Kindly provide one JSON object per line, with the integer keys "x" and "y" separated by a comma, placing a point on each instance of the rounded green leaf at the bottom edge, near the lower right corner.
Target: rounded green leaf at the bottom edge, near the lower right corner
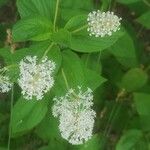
{"x": 129, "y": 139}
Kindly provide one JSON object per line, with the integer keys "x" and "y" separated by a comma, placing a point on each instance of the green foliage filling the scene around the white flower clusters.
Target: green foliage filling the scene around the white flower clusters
{"x": 117, "y": 68}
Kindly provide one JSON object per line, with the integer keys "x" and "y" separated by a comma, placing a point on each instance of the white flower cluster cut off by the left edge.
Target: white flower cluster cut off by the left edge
{"x": 5, "y": 84}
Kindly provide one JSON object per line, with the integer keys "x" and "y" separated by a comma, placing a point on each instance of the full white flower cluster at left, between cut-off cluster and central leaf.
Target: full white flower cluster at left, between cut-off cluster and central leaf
{"x": 36, "y": 78}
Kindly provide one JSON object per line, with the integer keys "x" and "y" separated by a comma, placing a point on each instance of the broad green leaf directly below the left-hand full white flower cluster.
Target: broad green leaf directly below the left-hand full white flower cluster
{"x": 27, "y": 114}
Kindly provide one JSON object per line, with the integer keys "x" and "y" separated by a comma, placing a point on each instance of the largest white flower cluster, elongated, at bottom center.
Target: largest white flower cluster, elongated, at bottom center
{"x": 75, "y": 114}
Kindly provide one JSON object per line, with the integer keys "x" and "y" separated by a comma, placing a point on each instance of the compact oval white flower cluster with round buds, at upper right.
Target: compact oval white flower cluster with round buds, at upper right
{"x": 101, "y": 24}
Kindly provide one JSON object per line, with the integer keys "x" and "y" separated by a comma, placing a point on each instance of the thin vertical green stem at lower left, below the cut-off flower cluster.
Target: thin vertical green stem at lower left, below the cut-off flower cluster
{"x": 11, "y": 107}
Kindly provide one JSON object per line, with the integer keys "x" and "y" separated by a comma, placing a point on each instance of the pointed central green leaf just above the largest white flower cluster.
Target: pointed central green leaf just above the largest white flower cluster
{"x": 73, "y": 73}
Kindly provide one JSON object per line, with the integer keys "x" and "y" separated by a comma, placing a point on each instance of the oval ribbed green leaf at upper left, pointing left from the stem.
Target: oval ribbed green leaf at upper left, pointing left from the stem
{"x": 35, "y": 28}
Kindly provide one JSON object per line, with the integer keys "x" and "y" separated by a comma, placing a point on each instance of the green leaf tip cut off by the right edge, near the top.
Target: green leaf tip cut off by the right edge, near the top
{"x": 144, "y": 19}
